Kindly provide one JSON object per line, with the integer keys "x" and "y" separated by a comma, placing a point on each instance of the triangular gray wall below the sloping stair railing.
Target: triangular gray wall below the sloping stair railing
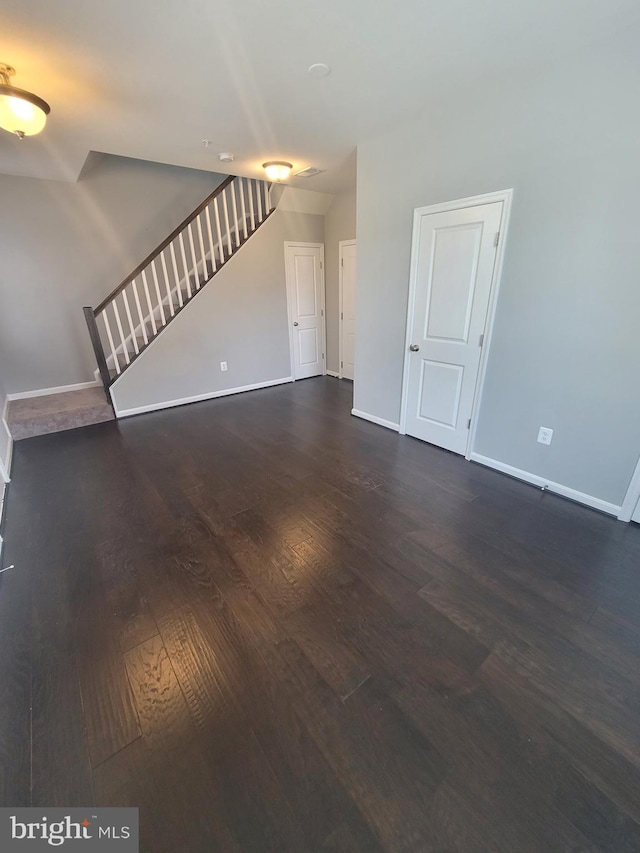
{"x": 240, "y": 318}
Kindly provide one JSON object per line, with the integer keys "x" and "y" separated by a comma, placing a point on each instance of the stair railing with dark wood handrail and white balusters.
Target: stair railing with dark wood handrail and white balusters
{"x": 135, "y": 313}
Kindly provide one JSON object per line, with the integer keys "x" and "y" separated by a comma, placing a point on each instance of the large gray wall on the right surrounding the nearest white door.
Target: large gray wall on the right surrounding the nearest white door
{"x": 566, "y": 344}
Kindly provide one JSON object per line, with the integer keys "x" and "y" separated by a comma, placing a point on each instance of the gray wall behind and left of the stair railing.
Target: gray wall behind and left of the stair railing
{"x": 67, "y": 245}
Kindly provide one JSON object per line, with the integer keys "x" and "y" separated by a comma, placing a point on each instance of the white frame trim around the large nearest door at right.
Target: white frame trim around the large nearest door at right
{"x": 505, "y": 196}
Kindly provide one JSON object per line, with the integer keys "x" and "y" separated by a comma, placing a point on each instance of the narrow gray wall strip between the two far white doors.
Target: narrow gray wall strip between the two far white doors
{"x": 339, "y": 224}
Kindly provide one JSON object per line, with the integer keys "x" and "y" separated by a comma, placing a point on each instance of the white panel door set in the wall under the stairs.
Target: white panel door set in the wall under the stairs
{"x": 305, "y": 292}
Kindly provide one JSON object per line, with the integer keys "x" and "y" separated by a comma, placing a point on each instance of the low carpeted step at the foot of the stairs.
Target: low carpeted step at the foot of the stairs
{"x": 57, "y": 412}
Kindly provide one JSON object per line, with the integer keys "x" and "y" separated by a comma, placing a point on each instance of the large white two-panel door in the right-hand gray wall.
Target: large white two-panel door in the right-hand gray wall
{"x": 454, "y": 255}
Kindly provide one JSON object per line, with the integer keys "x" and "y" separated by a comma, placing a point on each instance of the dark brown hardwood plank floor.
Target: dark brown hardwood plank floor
{"x": 275, "y": 627}
